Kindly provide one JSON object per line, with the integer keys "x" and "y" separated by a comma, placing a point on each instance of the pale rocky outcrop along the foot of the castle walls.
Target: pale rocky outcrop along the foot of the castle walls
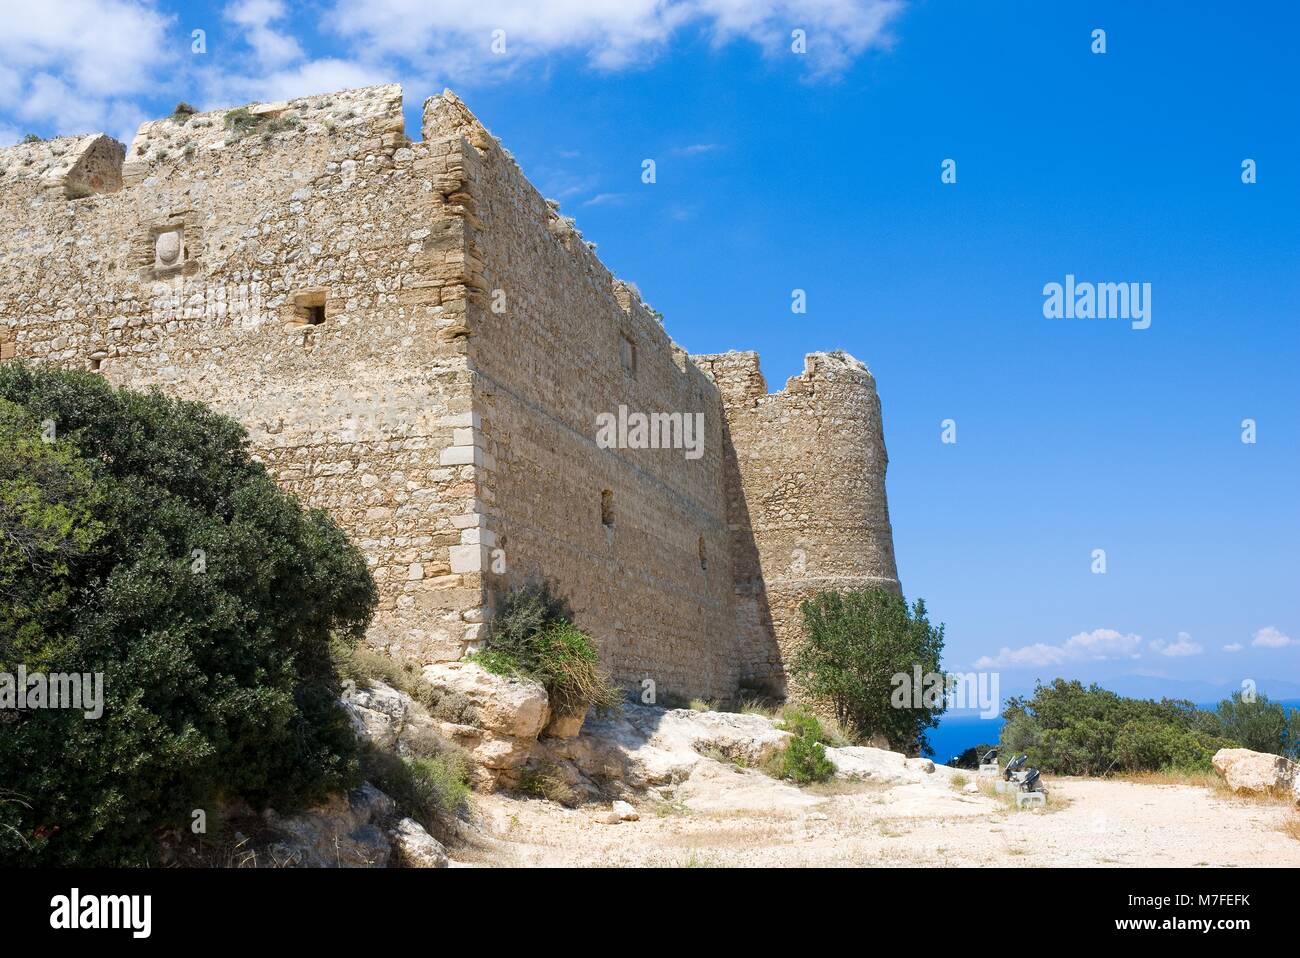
{"x": 505, "y": 726}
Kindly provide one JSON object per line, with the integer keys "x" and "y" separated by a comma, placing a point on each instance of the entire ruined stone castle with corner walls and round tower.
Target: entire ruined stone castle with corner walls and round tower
{"x": 422, "y": 345}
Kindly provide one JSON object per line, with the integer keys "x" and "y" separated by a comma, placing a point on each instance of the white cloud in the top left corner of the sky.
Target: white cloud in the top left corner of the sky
{"x": 73, "y": 67}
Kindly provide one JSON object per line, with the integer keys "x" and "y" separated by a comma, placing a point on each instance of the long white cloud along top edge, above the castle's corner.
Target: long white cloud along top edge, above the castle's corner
{"x": 454, "y": 38}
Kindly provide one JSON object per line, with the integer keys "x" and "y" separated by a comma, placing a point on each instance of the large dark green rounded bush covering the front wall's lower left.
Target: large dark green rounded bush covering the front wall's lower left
{"x": 218, "y": 675}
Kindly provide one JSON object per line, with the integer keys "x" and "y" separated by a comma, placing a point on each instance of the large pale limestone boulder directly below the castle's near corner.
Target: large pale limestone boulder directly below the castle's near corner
{"x": 469, "y": 695}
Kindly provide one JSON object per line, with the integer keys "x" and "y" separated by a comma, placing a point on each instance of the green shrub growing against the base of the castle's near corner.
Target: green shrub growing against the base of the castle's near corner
{"x": 531, "y": 635}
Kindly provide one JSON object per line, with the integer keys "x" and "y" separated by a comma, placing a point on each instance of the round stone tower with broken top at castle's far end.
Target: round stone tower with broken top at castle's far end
{"x": 807, "y": 497}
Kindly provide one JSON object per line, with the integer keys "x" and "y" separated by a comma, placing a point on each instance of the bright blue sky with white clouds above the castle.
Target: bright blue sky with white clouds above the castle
{"x": 822, "y": 172}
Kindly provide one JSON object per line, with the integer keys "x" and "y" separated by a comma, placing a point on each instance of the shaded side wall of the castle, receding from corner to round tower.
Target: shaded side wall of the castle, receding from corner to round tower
{"x": 551, "y": 332}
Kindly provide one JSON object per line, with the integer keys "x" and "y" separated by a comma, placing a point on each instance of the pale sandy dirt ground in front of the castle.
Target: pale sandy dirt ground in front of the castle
{"x": 726, "y": 817}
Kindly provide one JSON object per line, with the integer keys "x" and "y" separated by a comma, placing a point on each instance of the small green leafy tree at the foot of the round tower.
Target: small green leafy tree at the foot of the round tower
{"x": 857, "y": 641}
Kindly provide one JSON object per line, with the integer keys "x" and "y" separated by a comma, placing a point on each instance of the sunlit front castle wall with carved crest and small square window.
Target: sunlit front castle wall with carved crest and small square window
{"x": 197, "y": 271}
